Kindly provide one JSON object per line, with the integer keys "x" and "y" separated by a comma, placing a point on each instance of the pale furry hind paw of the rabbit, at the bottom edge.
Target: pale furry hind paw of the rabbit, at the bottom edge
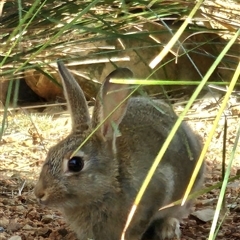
{"x": 170, "y": 229}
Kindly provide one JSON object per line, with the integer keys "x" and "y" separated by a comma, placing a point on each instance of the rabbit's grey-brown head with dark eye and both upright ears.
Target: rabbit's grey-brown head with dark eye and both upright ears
{"x": 68, "y": 180}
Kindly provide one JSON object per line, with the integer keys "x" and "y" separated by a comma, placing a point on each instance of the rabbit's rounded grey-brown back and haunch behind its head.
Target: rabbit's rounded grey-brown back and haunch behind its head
{"x": 144, "y": 128}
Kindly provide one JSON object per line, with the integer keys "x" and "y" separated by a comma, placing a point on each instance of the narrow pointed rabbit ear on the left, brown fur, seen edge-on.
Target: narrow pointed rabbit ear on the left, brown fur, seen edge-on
{"x": 75, "y": 99}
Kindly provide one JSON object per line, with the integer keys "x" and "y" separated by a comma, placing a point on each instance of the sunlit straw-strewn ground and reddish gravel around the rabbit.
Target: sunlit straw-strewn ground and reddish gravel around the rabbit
{"x": 27, "y": 138}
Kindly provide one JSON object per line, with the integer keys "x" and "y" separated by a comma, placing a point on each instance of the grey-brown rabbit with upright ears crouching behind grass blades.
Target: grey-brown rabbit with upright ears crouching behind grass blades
{"x": 95, "y": 186}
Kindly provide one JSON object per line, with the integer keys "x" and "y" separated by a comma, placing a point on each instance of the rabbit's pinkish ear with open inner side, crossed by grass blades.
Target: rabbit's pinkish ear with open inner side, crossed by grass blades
{"x": 110, "y": 96}
